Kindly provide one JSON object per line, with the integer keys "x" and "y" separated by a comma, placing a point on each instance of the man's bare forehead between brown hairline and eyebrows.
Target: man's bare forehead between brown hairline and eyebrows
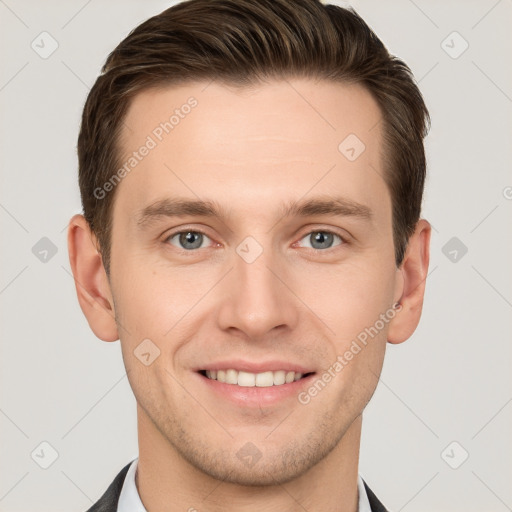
{"x": 238, "y": 144}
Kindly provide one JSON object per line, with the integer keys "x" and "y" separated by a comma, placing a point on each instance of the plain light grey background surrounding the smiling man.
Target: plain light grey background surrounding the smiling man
{"x": 450, "y": 382}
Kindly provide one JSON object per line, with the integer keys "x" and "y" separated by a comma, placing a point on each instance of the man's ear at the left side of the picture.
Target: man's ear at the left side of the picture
{"x": 91, "y": 281}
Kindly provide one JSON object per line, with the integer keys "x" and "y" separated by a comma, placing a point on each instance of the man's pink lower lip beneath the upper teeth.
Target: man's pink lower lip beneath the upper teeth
{"x": 257, "y": 396}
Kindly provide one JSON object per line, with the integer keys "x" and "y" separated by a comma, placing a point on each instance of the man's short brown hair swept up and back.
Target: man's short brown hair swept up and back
{"x": 245, "y": 42}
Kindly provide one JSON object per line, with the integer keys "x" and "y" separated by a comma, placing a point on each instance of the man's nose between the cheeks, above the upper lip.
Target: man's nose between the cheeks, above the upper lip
{"x": 258, "y": 298}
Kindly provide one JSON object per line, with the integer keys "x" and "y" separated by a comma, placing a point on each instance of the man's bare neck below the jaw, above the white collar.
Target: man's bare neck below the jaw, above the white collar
{"x": 167, "y": 482}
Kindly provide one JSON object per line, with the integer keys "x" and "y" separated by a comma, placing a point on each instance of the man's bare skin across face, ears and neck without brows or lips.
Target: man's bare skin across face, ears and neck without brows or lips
{"x": 251, "y": 150}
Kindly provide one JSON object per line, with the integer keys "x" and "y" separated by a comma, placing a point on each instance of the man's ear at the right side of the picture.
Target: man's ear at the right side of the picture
{"x": 411, "y": 278}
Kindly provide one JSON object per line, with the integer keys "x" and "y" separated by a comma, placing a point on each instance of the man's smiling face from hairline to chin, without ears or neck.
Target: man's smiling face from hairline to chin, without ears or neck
{"x": 251, "y": 239}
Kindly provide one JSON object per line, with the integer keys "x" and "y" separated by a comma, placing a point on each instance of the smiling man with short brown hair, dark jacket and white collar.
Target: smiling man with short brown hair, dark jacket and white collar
{"x": 251, "y": 174}
